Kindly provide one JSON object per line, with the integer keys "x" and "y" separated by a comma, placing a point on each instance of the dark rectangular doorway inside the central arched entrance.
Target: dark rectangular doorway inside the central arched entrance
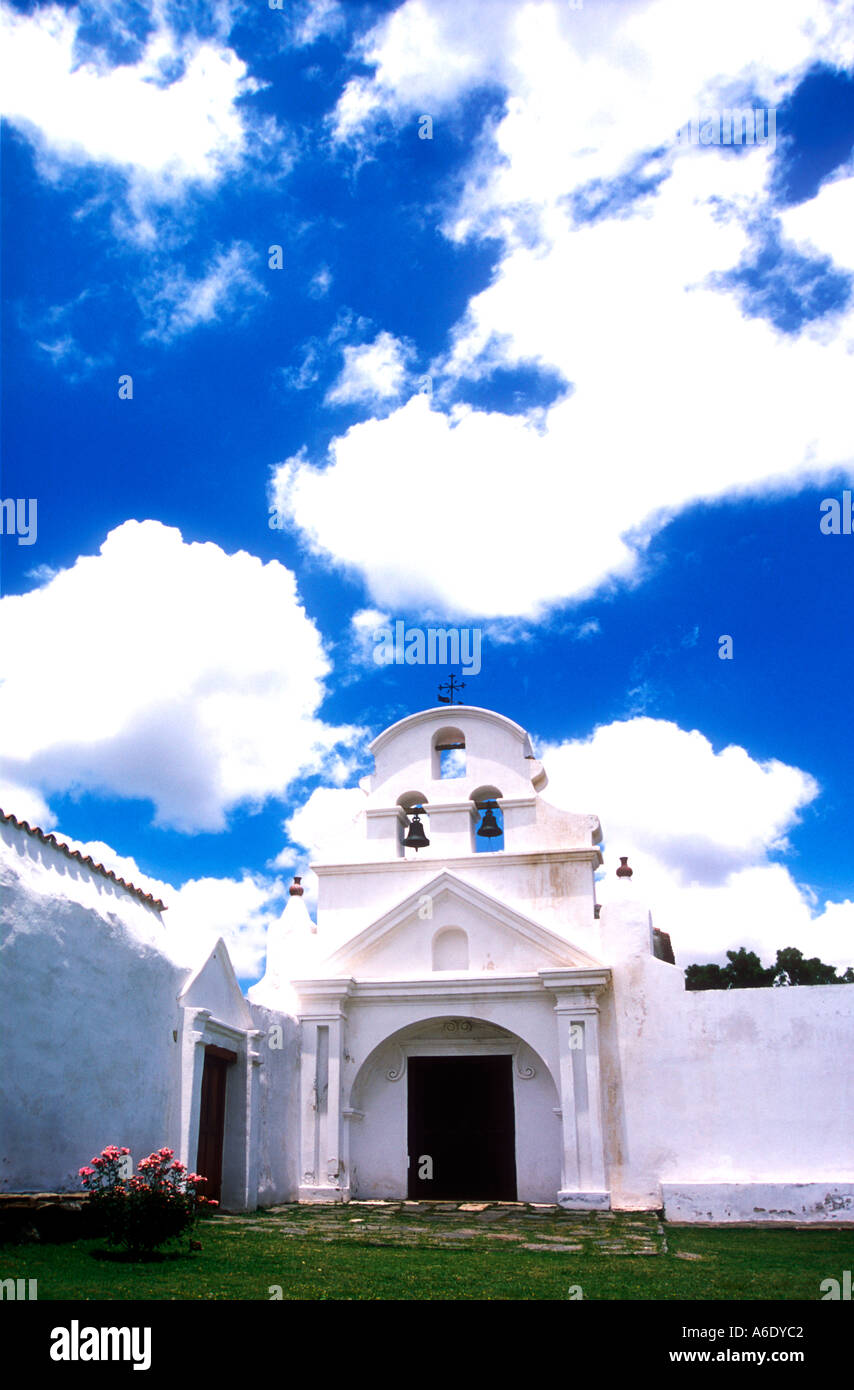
{"x": 462, "y": 1121}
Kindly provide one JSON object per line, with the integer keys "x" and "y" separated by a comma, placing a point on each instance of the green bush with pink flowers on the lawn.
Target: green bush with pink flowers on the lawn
{"x": 144, "y": 1213}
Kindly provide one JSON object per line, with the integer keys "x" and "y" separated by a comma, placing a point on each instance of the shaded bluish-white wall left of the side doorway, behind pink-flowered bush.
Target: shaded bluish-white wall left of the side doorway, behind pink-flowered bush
{"x": 90, "y": 1011}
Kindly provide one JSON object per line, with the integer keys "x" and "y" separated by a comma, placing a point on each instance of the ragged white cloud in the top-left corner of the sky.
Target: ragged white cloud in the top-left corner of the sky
{"x": 162, "y": 116}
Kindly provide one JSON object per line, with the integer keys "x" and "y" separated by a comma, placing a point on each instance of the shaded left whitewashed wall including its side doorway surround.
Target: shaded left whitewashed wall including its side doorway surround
{"x": 105, "y": 1033}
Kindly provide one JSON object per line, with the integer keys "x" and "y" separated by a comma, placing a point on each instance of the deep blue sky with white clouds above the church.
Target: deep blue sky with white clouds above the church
{"x": 533, "y": 366}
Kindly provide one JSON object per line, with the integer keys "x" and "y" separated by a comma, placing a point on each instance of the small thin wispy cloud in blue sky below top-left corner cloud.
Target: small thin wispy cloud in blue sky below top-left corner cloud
{"x": 177, "y": 304}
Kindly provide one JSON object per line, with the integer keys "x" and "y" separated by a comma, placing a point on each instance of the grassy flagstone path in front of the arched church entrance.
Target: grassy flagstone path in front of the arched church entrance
{"x": 444, "y": 1225}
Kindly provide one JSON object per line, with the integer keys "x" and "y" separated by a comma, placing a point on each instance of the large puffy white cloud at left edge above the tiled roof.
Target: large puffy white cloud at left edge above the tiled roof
{"x": 166, "y": 672}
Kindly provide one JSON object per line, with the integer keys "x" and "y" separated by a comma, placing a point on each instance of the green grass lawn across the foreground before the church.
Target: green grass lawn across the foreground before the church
{"x": 241, "y": 1263}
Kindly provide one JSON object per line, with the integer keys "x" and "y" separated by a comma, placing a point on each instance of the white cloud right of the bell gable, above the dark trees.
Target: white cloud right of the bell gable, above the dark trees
{"x": 698, "y": 829}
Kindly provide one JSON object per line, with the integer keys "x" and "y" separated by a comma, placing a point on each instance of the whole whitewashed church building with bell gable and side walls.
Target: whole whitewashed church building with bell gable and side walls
{"x": 461, "y": 1022}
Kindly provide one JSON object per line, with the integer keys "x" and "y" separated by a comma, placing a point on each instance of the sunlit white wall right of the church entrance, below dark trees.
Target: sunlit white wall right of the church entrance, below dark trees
{"x": 723, "y": 1089}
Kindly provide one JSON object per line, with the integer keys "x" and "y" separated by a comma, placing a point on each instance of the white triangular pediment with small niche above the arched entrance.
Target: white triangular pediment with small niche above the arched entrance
{"x": 497, "y": 939}
